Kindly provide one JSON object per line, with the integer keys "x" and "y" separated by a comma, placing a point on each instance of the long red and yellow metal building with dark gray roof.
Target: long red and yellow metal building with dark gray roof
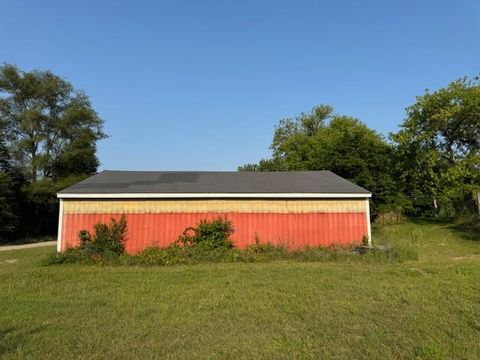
{"x": 315, "y": 208}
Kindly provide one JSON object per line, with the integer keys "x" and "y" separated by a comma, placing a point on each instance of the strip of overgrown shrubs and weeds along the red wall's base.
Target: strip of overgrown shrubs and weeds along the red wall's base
{"x": 210, "y": 241}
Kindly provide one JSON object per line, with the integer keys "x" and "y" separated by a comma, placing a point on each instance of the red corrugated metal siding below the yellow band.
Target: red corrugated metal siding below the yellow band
{"x": 293, "y": 229}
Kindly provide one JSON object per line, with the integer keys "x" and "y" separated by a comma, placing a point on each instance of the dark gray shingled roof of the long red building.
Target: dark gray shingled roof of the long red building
{"x": 203, "y": 182}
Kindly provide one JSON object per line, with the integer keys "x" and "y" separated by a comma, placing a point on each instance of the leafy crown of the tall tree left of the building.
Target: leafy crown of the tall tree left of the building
{"x": 48, "y": 124}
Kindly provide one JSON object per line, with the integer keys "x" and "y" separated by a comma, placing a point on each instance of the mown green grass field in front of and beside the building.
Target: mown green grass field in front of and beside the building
{"x": 426, "y": 309}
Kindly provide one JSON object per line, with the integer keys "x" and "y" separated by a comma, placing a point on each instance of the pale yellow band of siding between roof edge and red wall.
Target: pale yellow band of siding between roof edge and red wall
{"x": 76, "y": 206}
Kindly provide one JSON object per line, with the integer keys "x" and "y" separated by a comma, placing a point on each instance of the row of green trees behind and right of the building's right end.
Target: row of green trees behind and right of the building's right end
{"x": 430, "y": 167}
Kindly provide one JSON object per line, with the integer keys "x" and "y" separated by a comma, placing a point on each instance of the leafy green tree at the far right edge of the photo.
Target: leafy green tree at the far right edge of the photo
{"x": 438, "y": 146}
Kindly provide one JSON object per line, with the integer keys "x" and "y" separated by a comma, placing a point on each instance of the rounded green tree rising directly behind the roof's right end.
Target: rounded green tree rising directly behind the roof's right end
{"x": 322, "y": 140}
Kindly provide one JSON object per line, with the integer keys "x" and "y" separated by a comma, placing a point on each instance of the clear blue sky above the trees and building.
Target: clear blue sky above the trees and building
{"x": 192, "y": 85}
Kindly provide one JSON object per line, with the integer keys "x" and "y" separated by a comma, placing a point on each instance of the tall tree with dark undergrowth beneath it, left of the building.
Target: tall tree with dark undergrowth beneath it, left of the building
{"x": 48, "y": 136}
